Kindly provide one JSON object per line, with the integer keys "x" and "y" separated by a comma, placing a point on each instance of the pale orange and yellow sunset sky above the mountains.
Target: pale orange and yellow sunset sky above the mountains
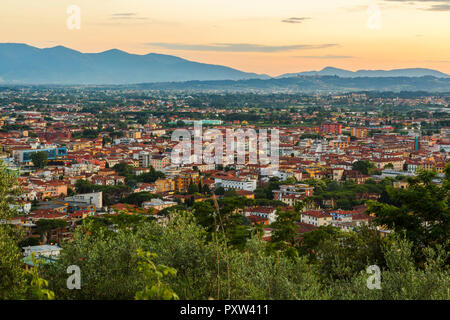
{"x": 263, "y": 36}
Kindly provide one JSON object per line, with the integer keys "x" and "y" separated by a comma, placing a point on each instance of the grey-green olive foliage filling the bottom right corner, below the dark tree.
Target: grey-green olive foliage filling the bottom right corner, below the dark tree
{"x": 401, "y": 279}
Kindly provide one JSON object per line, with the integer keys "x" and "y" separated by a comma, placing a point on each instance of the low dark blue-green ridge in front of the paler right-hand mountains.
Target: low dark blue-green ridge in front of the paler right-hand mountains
{"x": 308, "y": 84}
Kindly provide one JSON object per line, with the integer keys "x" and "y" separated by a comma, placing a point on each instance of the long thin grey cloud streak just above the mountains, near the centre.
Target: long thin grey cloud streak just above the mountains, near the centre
{"x": 238, "y": 47}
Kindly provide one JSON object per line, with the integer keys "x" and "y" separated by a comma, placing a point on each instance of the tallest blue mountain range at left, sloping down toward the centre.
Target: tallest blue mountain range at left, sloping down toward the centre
{"x": 24, "y": 64}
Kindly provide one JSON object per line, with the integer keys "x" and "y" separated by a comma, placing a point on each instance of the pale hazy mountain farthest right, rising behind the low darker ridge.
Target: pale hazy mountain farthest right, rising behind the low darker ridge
{"x": 331, "y": 71}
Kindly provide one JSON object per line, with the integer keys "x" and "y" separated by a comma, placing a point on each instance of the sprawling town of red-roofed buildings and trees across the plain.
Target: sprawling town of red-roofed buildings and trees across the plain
{"x": 104, "y": 153}
